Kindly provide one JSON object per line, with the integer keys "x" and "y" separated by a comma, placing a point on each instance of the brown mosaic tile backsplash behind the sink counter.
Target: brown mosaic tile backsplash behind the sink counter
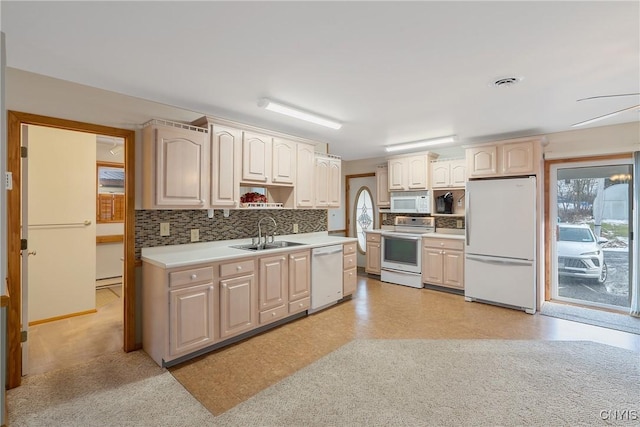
{"x": 240, "y": 224}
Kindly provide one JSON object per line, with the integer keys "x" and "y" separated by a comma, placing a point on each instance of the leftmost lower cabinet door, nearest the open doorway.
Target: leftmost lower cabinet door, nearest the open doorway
{"x": 192, "y": 318}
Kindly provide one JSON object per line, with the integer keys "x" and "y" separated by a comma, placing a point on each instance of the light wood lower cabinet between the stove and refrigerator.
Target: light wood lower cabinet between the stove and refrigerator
{"x": 443, "y": 262}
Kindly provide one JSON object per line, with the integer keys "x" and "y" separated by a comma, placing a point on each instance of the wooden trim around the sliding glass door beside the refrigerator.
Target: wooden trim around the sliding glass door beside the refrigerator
{"x": 547, "y": 208}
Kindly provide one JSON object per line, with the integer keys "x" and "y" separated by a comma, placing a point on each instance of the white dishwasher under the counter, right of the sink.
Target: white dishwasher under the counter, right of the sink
{"x": 326, "y": 276}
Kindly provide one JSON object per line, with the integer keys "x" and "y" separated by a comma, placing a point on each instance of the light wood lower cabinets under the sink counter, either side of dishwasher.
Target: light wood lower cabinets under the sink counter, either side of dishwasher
{"x": 188, "y": 309}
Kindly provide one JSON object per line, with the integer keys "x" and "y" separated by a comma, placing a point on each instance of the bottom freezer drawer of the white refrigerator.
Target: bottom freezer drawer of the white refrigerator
{"x": 501, "y": 280}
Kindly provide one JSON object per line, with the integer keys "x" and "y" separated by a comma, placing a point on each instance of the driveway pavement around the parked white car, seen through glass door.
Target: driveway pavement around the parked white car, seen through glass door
{"x": 614, "y": 291}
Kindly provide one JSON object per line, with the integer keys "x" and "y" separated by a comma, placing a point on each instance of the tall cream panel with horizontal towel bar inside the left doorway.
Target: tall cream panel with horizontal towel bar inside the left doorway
{"x": 61, "y": 191}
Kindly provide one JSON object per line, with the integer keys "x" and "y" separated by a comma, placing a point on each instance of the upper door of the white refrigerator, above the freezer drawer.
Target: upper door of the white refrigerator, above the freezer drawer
{"x": 501, "y": 218}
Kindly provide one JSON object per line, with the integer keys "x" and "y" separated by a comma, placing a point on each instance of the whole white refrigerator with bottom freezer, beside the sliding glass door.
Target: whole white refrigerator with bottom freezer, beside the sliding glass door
{"x": 500, "y": 252}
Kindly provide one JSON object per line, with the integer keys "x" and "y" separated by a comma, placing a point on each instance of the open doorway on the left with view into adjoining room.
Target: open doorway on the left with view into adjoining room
{"x": 72, "y": 277}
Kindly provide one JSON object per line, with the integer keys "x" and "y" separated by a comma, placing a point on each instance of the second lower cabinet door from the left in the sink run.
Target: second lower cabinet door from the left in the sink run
{"x": 237, "y": 305}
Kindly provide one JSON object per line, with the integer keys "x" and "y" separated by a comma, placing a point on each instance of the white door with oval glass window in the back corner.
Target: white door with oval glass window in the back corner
{"x": 356, "y": 186}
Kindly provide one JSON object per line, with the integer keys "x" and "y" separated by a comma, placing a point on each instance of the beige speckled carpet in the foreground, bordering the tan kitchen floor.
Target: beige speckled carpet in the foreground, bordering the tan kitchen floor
{"x": 364, "y": 383}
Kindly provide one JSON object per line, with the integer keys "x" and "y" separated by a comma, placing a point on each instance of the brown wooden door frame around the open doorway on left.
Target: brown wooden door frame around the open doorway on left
{"x": 15, "y": 120}
